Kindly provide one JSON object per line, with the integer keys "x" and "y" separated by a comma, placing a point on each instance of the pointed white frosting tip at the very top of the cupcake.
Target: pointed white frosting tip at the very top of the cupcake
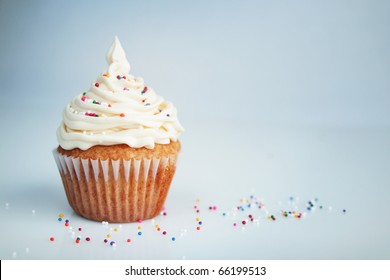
{"x": 116, "y": 59}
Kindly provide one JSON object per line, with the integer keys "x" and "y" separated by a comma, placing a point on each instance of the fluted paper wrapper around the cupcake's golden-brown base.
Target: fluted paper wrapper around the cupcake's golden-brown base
{"x": 116, "y": 190}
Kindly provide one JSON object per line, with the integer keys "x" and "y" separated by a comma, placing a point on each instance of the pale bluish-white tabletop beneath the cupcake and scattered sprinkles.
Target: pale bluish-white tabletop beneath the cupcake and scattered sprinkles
{"x": 344, "y": 168}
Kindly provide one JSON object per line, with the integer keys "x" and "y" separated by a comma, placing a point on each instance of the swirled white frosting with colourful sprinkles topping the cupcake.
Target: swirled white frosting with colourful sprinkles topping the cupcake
{"x": 118, "y": 109}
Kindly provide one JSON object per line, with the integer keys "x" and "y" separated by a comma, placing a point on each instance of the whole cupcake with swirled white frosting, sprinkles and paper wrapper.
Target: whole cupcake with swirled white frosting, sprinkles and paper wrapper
{"x": 118, "y": 146}
